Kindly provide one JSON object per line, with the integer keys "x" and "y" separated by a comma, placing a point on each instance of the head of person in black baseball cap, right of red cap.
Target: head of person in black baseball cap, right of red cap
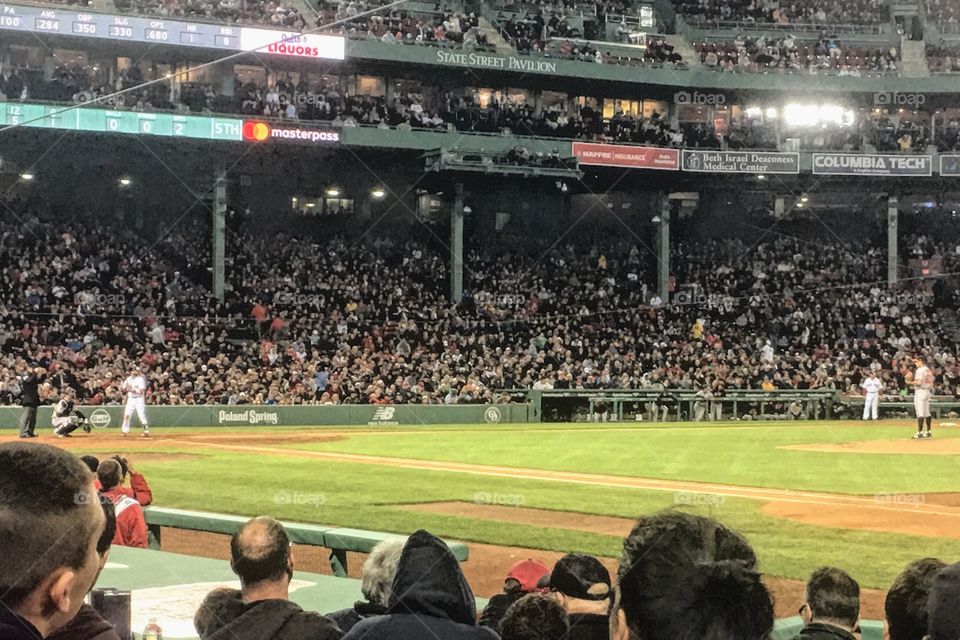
{"x": 582, "y": 586}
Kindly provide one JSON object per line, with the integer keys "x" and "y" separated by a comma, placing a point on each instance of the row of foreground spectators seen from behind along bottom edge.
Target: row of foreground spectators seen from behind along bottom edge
{"x": 679, "y": 576}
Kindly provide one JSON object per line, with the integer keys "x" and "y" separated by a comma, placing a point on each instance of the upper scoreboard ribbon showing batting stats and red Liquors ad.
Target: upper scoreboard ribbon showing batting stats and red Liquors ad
{"x": 88, "y": 24}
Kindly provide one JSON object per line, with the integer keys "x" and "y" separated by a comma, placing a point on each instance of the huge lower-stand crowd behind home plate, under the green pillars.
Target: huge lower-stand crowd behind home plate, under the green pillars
{"x": 85, "y": 301}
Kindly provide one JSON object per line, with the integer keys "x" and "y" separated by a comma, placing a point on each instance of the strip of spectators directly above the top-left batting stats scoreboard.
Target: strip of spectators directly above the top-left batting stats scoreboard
{"x": 264, "y": 12}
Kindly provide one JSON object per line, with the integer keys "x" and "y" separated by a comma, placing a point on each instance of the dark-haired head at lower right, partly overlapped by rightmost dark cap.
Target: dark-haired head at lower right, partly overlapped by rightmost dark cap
{"x": 905, "y": 607}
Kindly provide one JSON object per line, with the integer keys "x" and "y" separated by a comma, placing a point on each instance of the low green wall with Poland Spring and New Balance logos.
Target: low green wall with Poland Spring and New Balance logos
{"x": 285, "y": 416}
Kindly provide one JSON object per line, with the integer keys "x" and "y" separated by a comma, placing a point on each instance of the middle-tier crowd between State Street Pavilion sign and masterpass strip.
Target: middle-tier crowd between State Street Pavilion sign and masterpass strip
{"x": 326, "y": 101}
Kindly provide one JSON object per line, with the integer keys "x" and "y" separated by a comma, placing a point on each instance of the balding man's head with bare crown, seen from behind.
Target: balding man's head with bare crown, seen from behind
{"x": 260, "y": 552}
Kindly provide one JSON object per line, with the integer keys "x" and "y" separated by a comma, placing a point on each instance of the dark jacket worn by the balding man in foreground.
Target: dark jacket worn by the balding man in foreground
{"x": 225, "y": 616}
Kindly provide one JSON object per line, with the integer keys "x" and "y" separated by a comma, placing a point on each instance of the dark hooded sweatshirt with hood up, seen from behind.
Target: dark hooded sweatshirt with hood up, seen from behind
{"x": 430, "y": 599}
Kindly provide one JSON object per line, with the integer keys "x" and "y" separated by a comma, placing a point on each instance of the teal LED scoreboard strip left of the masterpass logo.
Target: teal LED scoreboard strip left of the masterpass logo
{"x": 131, "y": 122}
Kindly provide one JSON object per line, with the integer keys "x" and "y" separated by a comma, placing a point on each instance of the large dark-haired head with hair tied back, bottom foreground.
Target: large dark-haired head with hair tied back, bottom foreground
{"x": 686, "y": 576}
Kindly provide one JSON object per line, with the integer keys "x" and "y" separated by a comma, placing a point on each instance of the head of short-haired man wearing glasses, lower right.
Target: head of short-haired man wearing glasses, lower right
{"x": 831, "y": 610}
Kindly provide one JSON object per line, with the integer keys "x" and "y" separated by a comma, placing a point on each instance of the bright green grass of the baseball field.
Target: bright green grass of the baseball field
{"x": 366, "y": 496}
